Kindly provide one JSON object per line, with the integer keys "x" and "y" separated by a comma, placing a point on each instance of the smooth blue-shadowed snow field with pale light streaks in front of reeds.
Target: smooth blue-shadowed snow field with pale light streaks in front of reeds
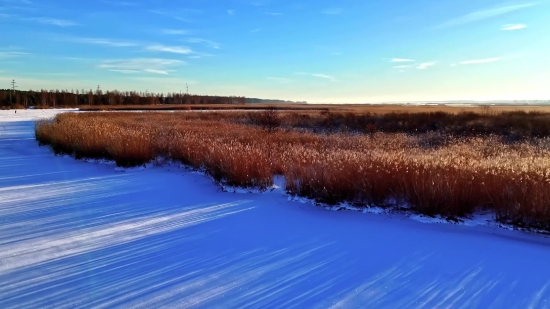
{"x": 76, "y": 234}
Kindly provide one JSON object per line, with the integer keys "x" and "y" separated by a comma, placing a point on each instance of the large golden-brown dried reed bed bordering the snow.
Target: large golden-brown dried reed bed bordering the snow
{"x": 451, "y": 178}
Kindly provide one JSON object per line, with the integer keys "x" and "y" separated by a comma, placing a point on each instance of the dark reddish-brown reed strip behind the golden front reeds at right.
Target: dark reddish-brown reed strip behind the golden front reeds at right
{"x": 513, "y": 125}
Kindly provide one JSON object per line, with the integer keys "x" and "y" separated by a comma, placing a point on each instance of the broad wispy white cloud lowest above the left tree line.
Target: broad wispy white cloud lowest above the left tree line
{"x": 141, "y": 65}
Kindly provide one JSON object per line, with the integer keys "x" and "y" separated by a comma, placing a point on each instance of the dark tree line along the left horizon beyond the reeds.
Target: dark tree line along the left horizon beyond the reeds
{"x": 65, "y": 98}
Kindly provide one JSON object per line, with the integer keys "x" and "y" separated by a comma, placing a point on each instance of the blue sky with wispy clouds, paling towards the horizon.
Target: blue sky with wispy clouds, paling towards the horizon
{"x": 319, "y": 51}
